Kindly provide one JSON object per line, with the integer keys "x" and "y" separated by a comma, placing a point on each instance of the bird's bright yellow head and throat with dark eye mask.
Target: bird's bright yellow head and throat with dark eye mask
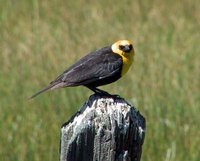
{"x": 125, "y": 49}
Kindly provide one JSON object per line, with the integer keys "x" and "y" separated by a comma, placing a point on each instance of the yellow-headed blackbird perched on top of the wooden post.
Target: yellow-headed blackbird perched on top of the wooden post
{"x": 98, "y": 68}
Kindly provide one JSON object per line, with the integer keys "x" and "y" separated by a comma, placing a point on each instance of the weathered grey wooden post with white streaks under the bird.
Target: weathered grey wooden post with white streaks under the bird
{"x": 105, "y": 129}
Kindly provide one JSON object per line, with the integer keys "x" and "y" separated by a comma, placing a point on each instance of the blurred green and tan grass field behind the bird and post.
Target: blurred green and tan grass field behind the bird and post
{"x": 39, "y": 39}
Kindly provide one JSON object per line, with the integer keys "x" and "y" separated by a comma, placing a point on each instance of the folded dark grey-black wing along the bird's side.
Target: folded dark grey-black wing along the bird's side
{"x": 93, "y": 67}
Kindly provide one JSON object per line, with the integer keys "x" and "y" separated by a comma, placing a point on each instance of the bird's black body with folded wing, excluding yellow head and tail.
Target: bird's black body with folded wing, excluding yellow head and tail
{"x": 95, "y": 69}
